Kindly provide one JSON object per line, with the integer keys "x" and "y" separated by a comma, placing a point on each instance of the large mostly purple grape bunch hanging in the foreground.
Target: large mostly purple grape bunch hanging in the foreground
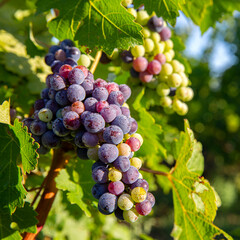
{"x": 94, "y": 117}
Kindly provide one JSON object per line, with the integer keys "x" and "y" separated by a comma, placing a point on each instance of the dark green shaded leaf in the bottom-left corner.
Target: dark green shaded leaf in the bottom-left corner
{"x": 22, "y": 220}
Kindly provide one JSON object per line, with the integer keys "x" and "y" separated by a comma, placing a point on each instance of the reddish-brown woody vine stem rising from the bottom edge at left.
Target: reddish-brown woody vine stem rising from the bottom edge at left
{"x": 49, "y": 194}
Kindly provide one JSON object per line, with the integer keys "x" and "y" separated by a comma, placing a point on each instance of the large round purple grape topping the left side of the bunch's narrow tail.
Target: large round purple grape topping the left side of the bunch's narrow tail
{"x": 108, "y": 153}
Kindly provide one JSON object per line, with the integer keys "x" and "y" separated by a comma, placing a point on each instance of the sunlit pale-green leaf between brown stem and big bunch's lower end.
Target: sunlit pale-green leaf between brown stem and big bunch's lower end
{"x": 77, "y": 181}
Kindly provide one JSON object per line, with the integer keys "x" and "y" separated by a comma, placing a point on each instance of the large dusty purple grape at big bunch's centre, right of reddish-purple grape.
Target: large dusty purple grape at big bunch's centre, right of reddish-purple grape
{"x": 94, "y": 123}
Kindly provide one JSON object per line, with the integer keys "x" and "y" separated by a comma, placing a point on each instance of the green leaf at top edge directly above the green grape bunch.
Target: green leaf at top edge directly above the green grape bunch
{"x": 168, "y": 9}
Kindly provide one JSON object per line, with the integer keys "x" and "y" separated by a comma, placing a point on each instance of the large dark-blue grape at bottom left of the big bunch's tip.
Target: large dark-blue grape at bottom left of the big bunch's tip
{"x": 108, "y": 203}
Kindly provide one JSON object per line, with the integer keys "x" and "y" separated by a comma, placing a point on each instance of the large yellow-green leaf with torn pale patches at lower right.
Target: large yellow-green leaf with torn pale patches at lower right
{"x": 195, "y": 201}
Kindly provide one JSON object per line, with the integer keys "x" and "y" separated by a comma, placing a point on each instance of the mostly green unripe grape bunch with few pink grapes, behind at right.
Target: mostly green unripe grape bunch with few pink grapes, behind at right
{"x": 153, "y": 63}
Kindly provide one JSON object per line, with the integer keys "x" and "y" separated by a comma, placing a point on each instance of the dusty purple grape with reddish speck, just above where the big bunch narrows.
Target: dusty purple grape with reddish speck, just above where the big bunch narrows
{"x": 113, "y": 134}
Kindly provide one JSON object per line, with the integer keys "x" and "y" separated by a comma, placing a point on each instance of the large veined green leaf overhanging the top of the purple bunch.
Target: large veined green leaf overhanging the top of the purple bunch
{"x": 94, "y": 23}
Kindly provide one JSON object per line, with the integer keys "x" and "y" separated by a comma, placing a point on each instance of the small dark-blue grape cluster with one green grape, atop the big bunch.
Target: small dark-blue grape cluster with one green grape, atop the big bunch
{"x": 65, "y": 53}
